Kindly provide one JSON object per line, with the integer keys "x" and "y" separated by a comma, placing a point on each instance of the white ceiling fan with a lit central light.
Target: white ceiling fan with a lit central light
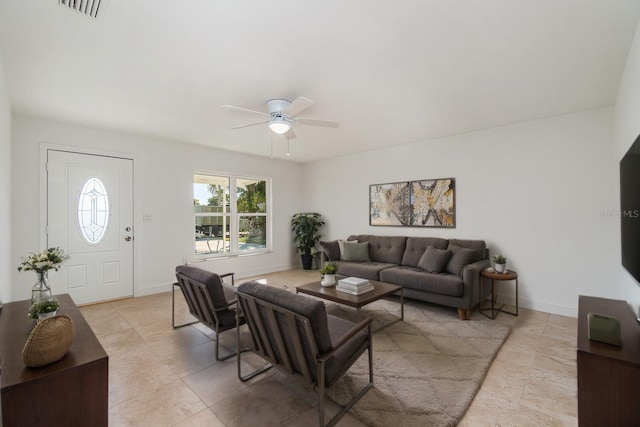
{"x": 283, "y": 115}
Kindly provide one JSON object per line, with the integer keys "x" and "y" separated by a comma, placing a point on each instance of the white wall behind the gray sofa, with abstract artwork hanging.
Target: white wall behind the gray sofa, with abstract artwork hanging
{"x": 537, "y": 191}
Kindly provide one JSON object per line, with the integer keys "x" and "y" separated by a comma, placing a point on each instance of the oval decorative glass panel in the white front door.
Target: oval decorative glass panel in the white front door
{"x": 93, "y": 210}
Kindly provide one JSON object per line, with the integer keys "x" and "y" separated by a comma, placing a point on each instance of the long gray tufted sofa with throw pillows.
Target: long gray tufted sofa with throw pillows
{"x": 441, "y": 271}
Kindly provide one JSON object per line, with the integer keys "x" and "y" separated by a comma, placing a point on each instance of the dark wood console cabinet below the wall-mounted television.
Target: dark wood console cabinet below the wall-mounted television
{"x": 608, "y": 376}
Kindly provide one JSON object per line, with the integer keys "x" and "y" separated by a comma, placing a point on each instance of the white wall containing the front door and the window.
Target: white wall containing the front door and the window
{"x": 163, "y": 187}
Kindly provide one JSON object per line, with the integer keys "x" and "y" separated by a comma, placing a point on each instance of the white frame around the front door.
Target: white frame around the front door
{"x": 44, "y": 149}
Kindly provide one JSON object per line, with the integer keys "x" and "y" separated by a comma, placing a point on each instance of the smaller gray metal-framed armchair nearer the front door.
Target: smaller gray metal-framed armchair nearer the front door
{"x": 210, "y": 300}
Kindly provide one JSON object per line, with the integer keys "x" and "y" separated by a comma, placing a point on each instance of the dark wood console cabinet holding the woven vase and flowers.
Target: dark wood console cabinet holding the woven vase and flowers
{"x": 73, "y": 391}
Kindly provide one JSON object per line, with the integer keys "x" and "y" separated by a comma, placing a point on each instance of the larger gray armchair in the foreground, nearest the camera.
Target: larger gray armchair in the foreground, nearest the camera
{"x": 296, "y": 335}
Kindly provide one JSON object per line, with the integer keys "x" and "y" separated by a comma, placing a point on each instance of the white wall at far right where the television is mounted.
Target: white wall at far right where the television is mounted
{"x": 626, "y": 130}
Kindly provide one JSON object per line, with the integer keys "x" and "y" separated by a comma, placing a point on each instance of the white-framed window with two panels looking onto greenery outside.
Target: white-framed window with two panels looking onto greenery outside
{"x": 231, "y": 214}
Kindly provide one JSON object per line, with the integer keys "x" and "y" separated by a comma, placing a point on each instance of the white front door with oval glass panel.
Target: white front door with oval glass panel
{"x": 90, "y": 216}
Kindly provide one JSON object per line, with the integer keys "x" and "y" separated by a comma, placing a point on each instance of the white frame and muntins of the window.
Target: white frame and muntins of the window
{"x": 234, "y": 216}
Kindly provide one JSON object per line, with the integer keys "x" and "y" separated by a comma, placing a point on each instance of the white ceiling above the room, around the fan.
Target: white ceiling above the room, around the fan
{"x": 391, "y": 72}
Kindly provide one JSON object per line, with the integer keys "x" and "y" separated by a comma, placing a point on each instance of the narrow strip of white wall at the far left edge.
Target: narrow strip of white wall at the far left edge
{"x": 6, "y": 265}
